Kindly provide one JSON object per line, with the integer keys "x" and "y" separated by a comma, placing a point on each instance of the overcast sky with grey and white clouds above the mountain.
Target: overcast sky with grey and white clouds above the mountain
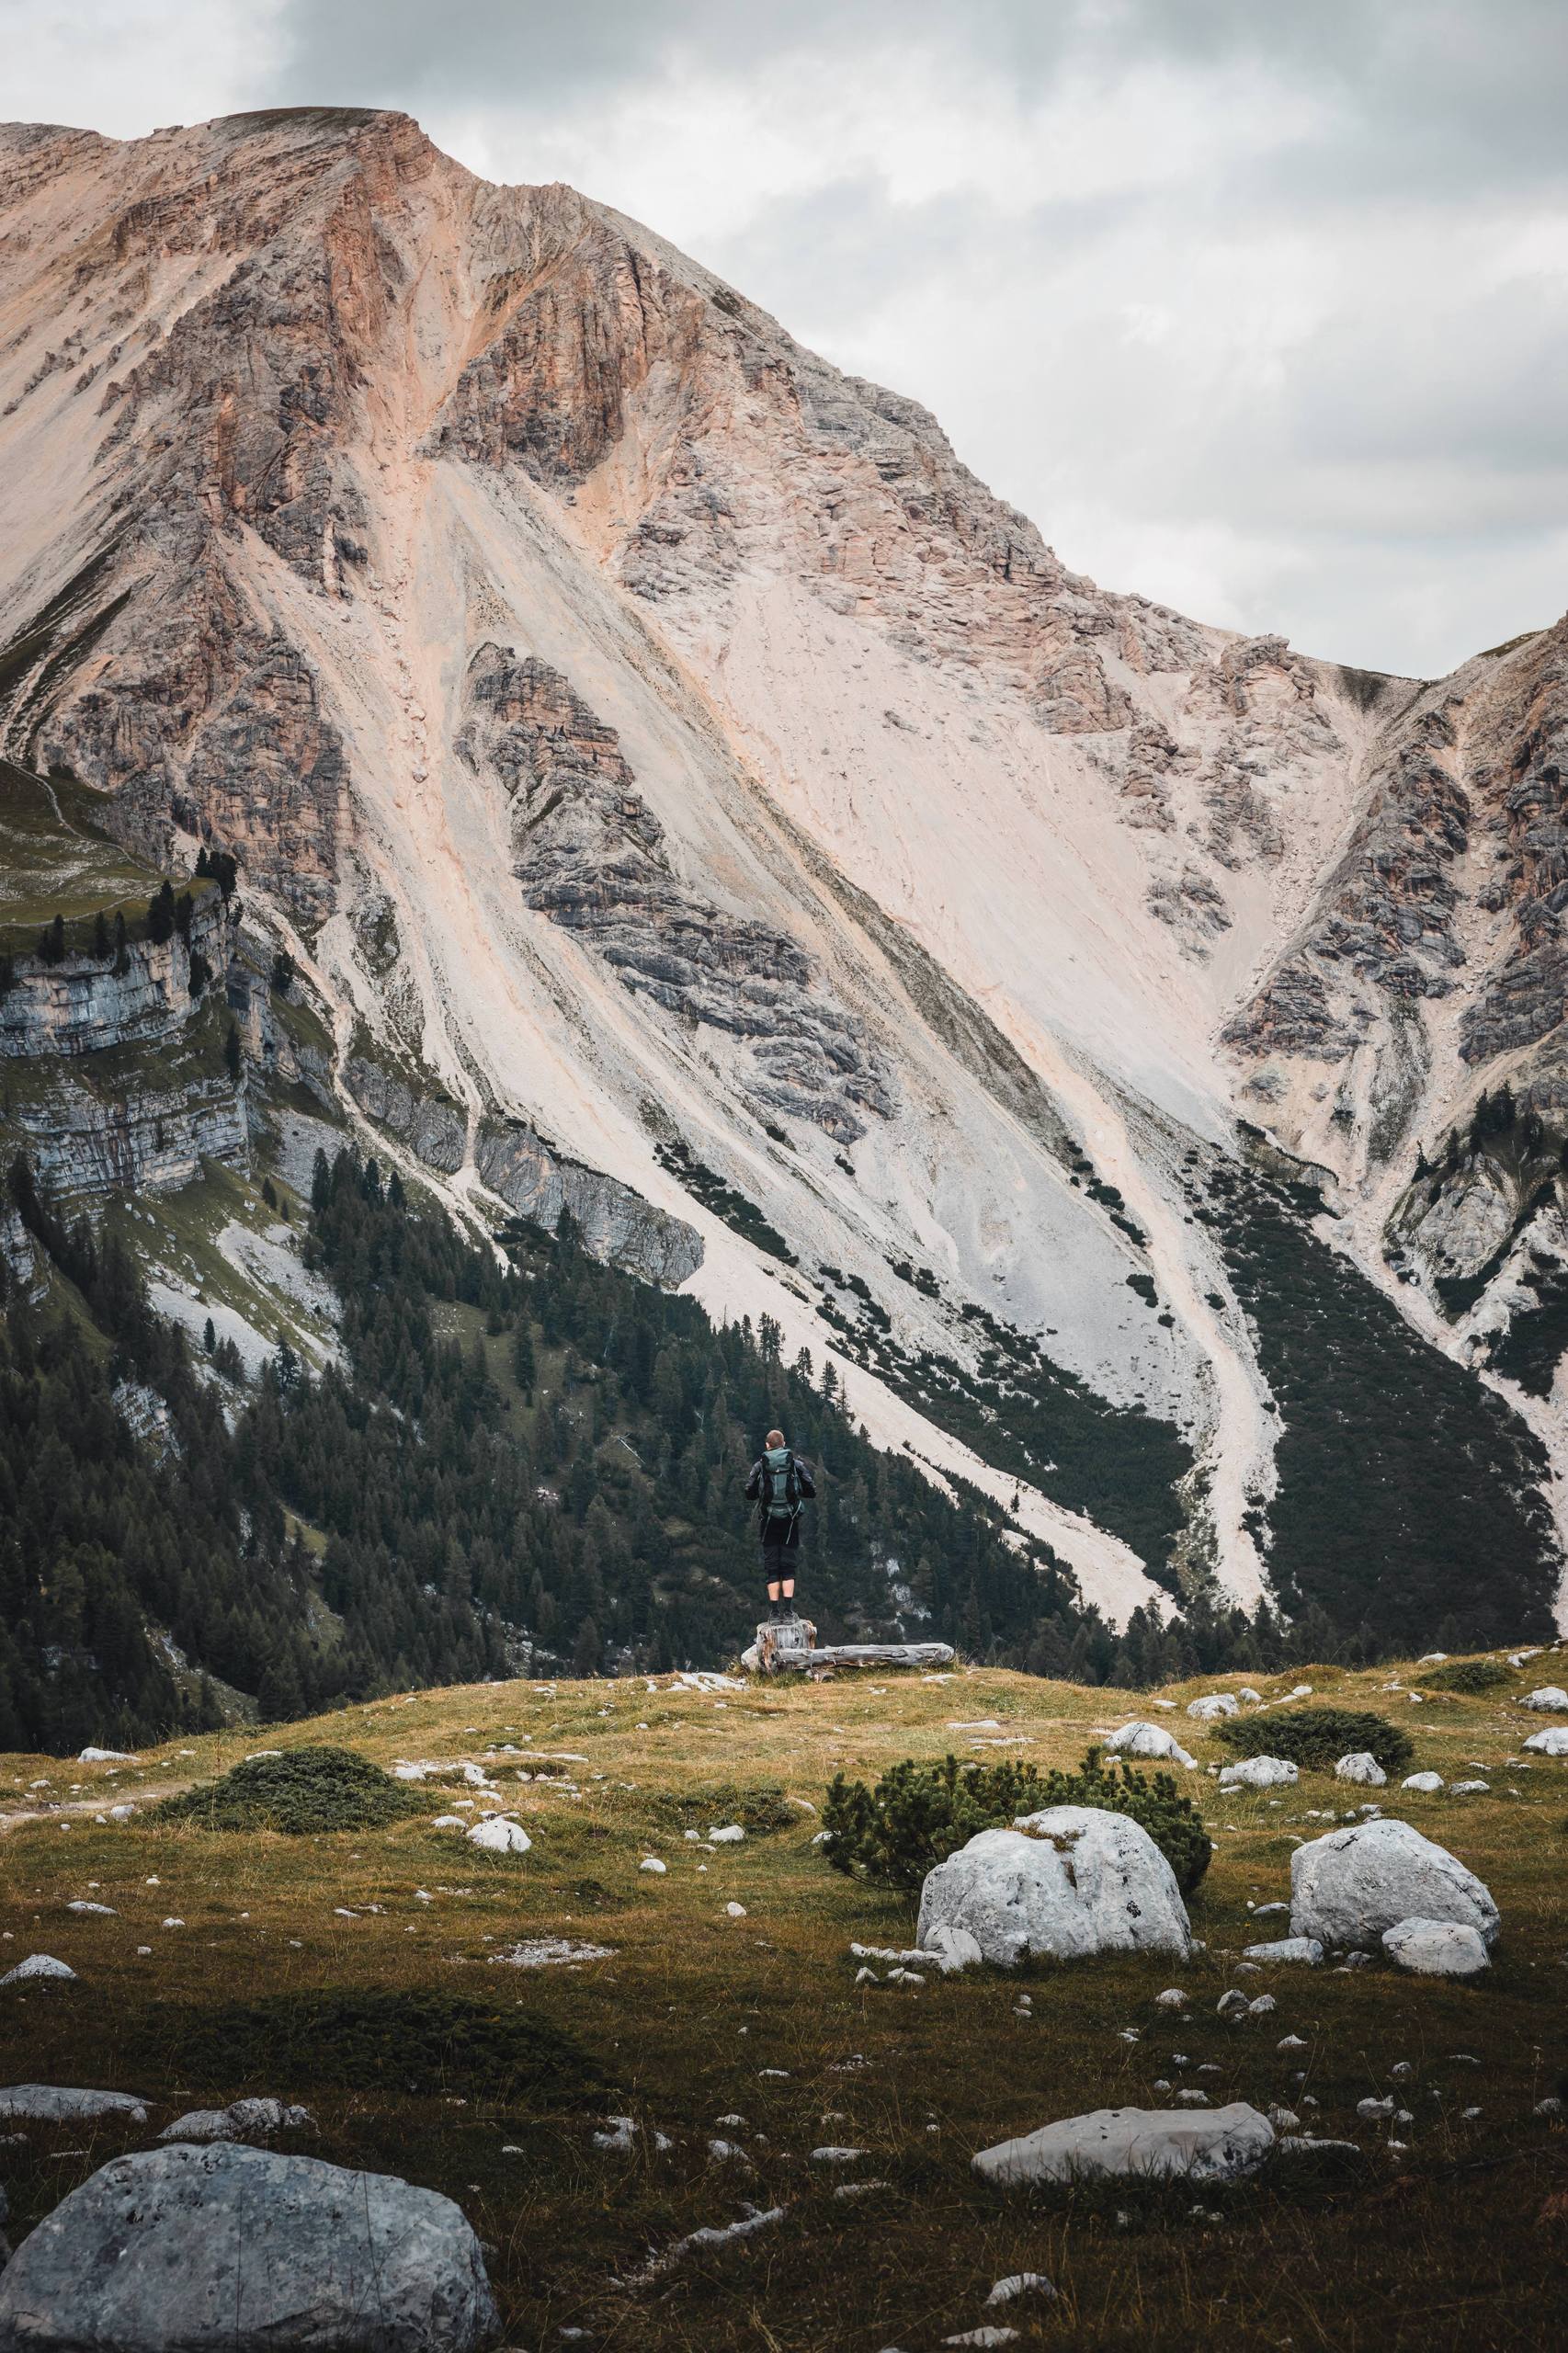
{"x": 1256, "y": 307}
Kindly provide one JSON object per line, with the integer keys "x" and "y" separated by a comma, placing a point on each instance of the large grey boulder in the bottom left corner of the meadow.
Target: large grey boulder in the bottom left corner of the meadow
{"x": 230, "y": 2248}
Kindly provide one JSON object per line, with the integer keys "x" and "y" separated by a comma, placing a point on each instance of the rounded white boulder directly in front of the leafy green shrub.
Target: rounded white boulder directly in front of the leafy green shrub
{"x": 1061, "y": 1886}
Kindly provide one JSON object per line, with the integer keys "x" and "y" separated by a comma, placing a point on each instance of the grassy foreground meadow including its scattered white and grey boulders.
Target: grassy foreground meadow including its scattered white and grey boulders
{"x": 524, "y": 2088}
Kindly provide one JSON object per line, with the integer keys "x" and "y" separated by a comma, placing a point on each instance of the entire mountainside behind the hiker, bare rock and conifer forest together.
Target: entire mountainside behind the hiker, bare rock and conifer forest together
{"x": 792, "y": 942}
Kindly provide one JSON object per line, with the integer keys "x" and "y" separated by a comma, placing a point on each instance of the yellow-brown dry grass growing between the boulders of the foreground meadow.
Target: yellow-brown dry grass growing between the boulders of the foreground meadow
{"x": 1459, "y": 2241}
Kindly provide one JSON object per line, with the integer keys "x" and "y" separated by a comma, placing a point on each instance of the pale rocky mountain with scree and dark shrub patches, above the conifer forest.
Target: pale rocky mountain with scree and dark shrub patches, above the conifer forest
{"x": 623, "y": 764}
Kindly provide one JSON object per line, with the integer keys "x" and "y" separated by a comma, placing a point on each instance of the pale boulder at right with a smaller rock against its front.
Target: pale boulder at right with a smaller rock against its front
{"x": 1357, "y": 1884}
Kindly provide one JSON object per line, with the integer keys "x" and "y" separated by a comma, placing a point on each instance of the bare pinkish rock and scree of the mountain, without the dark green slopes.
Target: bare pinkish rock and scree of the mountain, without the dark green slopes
{"x": 675, "y": 754}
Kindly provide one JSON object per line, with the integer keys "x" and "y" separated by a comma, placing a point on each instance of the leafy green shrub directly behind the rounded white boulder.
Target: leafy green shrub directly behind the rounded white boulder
{"x": 919, "y": 1815}
